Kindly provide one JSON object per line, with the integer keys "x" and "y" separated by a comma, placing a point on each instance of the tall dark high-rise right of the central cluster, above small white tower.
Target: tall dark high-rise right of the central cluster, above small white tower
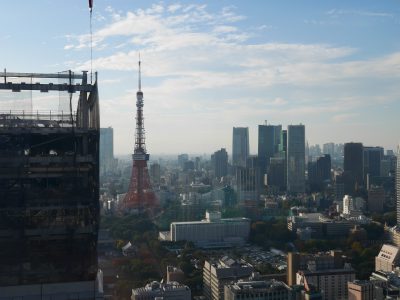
{"x": 353, "y": 174}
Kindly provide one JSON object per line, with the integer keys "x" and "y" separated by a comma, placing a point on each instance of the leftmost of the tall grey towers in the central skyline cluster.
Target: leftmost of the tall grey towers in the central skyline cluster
{"x": 240, "y": 146}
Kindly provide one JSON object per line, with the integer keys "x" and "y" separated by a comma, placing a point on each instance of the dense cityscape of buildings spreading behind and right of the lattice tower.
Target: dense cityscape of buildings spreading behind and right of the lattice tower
{"x": 264, "y": 214}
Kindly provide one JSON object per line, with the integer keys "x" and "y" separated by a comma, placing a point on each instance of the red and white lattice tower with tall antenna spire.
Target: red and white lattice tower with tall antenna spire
{"x": 140, "y": 197}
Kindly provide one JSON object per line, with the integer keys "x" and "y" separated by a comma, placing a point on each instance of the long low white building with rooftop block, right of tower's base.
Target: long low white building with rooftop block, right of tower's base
{"x": 212, "y": 231}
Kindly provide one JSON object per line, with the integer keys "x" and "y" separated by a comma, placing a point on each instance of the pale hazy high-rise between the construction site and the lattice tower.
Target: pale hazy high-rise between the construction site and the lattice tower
{"x": 106, "y": 149}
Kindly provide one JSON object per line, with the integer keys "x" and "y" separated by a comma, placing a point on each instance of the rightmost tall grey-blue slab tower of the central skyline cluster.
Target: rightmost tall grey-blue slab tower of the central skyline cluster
{"x": 296, "y": 159}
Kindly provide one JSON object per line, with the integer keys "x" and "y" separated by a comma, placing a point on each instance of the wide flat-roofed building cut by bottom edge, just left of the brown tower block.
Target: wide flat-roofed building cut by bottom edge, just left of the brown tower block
{"x": 258, "y": 290}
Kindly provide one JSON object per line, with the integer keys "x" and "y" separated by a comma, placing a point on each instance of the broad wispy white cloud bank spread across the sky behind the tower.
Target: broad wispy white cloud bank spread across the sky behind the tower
{"x": 197, "y": 64}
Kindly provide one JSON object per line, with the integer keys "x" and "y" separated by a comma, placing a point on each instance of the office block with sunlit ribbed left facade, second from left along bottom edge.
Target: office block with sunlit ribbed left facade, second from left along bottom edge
{"x": 219, "y": 273}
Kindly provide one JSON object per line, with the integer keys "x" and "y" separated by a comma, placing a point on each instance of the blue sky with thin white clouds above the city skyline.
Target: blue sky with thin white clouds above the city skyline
{"x": 208, "y": 66}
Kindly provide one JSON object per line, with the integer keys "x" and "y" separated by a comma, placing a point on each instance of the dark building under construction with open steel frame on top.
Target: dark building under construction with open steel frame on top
{"x": 49, "y": 187}
